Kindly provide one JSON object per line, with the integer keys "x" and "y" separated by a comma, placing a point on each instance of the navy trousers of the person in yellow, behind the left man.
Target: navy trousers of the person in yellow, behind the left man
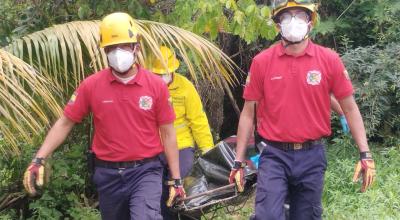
{"x": 186, "y": 157}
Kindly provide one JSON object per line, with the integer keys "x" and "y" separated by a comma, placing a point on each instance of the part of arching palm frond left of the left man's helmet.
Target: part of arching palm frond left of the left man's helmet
{"x": 62, "y": 51}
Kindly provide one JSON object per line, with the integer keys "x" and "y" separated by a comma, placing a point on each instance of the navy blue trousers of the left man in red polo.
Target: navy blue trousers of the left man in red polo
{"x": 132, "y": 193}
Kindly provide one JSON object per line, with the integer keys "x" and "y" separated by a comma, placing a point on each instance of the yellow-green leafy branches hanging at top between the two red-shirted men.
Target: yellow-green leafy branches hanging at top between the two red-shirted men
{"x": 242, "y": 18}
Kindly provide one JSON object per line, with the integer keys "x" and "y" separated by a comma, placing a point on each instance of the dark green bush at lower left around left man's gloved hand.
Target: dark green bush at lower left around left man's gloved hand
{"x": 68, "y": 194}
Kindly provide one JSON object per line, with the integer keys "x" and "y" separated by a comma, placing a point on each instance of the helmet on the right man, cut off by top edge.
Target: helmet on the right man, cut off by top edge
{"x": 280, "y": 5}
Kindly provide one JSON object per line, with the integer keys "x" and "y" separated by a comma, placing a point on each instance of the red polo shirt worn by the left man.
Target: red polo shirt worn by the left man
{"x": 126, "y": 117}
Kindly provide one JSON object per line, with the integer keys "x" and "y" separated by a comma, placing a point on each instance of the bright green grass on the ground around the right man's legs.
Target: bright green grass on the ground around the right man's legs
{"x": 342, "y": 198}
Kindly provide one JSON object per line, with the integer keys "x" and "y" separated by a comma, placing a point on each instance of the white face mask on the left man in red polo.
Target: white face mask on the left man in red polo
{"x": 121, "y": 60}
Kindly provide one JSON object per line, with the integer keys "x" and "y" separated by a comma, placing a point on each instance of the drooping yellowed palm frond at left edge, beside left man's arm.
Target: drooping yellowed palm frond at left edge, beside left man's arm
{"x": 27, "y": 101}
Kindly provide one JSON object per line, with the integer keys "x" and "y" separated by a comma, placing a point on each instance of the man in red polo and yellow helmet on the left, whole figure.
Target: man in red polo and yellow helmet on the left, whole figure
{"x": 133, "y": 121}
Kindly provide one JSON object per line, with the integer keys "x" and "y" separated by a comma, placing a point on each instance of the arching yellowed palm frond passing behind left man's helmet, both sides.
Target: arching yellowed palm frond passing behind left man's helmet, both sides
{"x": 65, "y": 51}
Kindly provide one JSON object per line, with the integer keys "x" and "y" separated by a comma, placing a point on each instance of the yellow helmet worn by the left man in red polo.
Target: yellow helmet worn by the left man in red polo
{"x": 117, "y": 28}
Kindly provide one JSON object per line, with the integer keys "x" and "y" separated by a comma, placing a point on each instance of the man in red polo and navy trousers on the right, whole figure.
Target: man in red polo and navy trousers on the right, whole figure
{"x": 294, "y": 80}
